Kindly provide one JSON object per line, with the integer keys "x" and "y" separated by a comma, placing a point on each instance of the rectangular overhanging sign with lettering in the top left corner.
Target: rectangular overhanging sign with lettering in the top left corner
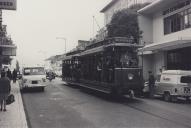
{"x": 8, "y": 4}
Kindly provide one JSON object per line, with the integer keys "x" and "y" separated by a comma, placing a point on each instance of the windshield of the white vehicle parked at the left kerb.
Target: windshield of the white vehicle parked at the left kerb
{"x": 34, "y": 71}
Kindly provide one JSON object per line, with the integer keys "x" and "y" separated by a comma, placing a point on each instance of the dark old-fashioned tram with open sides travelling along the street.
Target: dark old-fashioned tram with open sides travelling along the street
{"x": 109, "y": 66}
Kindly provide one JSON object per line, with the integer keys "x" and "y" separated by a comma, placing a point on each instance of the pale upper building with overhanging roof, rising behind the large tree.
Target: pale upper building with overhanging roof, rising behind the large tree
{"x": 116, "y": 5}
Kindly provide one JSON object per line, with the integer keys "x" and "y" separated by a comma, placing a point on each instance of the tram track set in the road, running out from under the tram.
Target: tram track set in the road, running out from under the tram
{"x": 153, "y": 110}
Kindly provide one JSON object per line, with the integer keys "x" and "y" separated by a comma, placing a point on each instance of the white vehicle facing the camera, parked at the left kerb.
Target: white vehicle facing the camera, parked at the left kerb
{"x": 33, "y": 77}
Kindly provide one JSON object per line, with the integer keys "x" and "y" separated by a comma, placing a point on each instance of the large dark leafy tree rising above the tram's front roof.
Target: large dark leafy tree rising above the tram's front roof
{"x": 124, "y": 23}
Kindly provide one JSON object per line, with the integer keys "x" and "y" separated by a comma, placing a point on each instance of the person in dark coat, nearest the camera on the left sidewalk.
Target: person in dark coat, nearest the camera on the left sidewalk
{"x": 5, "y": 89}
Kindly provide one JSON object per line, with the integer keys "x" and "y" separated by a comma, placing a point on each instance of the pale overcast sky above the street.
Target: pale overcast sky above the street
{"x": 36, "y": 24}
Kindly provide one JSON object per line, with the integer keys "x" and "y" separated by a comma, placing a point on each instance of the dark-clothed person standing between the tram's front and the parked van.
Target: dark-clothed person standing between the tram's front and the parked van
{"x": 151, "y": 84}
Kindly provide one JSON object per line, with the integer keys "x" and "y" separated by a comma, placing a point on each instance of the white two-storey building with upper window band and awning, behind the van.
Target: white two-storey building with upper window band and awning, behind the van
{"x": 166, "y": 26}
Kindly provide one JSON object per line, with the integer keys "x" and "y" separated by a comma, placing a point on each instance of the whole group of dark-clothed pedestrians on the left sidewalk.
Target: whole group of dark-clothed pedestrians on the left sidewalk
{"x": 5, "y": 86}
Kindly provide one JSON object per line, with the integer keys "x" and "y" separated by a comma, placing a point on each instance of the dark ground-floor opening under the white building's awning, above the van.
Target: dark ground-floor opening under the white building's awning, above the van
{"x": 179, "y": 59}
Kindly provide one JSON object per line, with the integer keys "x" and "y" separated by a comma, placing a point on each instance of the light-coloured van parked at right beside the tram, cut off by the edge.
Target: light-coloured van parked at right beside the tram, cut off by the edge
{"x": 173, "y": 84}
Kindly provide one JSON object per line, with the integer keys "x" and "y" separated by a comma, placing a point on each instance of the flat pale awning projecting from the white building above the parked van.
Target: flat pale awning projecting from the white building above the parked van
{"x": 156, "y": 47}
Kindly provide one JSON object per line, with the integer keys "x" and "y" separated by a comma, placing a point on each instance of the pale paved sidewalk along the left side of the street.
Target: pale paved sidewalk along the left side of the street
{"x": 14, "y": 117}
